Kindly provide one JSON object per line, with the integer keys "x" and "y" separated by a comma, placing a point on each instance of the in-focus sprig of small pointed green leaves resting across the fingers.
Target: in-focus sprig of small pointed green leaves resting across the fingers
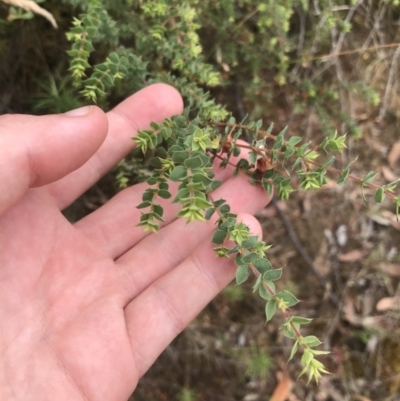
{"x": 185, "y": 151}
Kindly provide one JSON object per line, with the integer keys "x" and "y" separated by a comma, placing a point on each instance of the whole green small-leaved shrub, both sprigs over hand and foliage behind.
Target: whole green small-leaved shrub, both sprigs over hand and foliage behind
{"x": 260, "y": 49}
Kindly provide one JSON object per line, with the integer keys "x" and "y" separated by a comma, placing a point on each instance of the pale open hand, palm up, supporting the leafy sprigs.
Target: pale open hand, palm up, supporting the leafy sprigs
{"x": 86, "y": 308}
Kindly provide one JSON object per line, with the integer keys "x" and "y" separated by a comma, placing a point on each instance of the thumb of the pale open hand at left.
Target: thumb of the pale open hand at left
{"x": 35, "y": 151}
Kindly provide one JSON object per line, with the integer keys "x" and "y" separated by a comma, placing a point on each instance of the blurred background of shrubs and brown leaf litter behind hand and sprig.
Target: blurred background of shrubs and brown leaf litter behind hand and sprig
{"x": 313, "y": 66}
